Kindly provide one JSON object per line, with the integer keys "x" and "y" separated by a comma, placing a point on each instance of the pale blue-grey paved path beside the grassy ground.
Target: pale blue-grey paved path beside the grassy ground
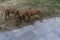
{"x": 47, "y": 30}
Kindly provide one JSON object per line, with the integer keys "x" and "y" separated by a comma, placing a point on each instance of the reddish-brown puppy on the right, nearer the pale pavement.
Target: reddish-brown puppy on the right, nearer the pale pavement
{"x": 30, "y": 13}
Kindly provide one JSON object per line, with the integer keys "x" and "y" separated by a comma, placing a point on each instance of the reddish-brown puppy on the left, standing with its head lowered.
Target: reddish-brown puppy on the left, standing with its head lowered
{"x": 13, "y": 11}
